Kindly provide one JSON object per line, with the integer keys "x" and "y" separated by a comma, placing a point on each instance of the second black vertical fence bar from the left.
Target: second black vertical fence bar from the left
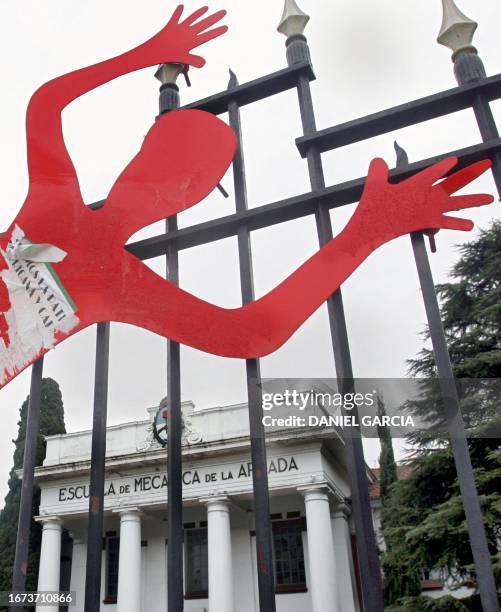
{"x": 97, "y": 472}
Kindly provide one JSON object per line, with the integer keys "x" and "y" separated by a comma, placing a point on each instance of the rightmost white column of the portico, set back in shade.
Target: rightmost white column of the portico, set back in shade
{"x": 344, "y": 559}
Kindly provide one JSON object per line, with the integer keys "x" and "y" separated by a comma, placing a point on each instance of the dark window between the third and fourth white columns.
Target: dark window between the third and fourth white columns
{"x": 289, "y": 556}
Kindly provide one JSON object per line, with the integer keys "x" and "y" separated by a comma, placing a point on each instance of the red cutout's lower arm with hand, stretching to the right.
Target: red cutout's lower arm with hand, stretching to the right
{"x": 385, "y": 212}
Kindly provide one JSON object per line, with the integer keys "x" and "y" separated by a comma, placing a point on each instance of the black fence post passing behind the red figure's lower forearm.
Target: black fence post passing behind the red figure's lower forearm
{"x": 372, "y": 589}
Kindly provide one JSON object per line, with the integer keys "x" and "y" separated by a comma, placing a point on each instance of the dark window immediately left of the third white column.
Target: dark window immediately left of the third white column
{"x": 197, "y": 563}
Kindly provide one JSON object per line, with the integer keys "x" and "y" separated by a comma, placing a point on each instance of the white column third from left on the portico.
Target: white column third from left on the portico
{"x": 220, "y": 564}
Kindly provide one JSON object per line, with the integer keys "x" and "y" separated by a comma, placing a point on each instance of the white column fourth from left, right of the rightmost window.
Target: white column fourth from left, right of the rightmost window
{"x": 324, "y": 595}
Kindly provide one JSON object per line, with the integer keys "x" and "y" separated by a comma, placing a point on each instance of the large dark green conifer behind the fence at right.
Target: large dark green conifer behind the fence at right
{"x": 423, "y": 520}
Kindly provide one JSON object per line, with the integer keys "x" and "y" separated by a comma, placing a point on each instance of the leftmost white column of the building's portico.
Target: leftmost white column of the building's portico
{"x": 50, "y": 558}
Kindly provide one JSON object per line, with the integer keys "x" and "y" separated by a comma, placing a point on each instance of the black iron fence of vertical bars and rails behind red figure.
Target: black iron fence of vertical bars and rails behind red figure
{"x": 475, "y": 91}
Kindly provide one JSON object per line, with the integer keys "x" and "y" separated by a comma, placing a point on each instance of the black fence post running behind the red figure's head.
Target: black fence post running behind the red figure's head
{"x": 169, "y": 101}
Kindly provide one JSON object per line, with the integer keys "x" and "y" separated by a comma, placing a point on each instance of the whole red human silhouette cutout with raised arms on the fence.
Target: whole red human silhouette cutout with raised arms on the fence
{"x": 90, "y": 277}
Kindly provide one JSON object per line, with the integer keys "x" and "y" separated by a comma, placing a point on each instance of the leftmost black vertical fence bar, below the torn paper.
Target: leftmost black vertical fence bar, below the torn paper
{"x": 26, "y": 504}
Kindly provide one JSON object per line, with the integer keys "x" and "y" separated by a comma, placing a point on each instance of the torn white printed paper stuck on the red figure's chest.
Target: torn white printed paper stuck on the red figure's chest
{"x": 40, "y": 307}
